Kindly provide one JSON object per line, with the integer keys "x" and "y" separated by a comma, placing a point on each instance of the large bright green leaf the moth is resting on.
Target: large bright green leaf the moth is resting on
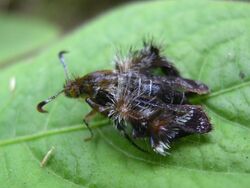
{"x": 207, "y": 40}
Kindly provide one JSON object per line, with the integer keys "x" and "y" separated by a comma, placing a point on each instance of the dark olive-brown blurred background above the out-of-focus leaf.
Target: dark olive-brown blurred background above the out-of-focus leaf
{"x": 67, "y": 14}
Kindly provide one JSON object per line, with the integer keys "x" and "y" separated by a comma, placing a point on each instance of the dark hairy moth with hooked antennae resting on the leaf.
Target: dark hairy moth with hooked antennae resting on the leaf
{"x": 154, "y": 106}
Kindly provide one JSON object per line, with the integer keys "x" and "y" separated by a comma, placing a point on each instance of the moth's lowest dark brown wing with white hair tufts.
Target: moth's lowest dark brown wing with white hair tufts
{"x": 177, "y": 121}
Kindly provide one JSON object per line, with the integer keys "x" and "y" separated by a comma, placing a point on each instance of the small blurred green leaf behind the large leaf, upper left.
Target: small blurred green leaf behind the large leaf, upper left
{"x": 20, "y": 37}
